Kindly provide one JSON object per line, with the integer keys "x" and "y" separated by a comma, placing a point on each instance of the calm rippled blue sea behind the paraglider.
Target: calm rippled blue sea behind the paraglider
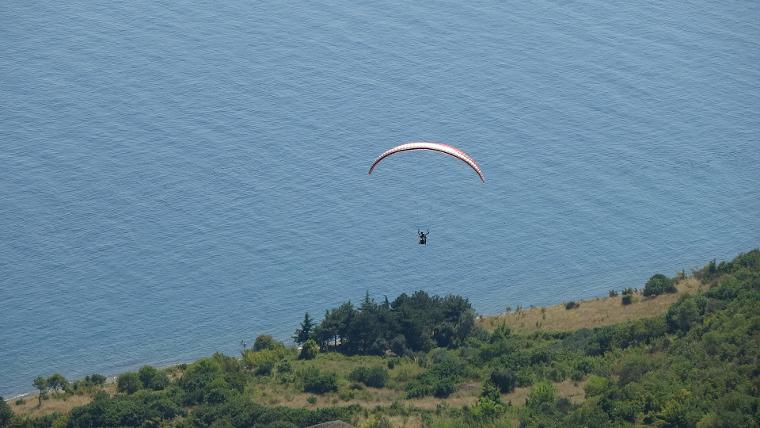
{"x": 177, "y": 176}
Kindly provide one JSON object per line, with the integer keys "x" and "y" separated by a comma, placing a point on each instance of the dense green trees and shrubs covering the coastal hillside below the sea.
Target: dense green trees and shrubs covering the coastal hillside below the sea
{"x": 695, "y": 366}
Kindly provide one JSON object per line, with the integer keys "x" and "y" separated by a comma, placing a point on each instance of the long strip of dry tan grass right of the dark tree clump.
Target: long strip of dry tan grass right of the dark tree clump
{"x": 591, "y": 313}
